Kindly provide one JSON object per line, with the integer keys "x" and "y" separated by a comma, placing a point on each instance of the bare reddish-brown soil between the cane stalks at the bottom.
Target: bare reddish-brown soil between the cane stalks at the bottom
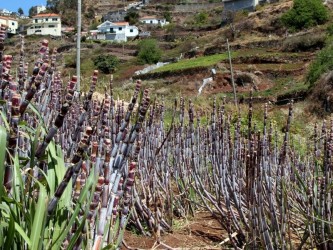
{"x": 200, "y": 232}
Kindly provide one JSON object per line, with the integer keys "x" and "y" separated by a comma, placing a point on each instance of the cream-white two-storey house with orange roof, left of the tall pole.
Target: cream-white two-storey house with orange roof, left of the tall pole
{"x": 45, "y": 24}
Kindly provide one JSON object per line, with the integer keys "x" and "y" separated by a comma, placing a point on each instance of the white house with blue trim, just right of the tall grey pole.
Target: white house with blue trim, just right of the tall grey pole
{"x": 116, "y": 31}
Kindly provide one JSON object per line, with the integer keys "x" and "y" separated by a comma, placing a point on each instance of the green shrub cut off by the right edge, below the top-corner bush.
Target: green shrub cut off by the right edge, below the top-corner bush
{"x": 322, "y": 64}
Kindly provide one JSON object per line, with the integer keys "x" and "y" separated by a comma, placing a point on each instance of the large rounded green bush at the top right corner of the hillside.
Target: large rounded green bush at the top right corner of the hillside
{"x": 305, "y": 14}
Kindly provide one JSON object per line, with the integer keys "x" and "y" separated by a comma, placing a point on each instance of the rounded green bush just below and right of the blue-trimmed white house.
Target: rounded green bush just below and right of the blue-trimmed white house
{"x": 149, "y": 52}
